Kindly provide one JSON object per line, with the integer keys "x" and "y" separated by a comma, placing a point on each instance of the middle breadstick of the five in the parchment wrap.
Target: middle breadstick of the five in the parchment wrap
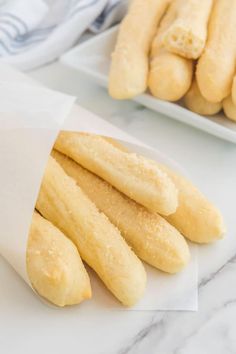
{"x": 151, "y": 237}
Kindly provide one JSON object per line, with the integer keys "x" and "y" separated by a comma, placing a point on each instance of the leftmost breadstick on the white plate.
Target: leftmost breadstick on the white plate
{"x": 129, "y": 65}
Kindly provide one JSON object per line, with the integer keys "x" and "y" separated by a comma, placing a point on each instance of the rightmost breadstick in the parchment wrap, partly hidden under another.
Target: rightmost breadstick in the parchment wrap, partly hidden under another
{"x": 196, "y": 218}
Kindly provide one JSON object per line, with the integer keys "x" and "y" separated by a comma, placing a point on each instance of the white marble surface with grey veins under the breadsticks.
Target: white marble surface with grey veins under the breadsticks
{"x": 28, "y": 326}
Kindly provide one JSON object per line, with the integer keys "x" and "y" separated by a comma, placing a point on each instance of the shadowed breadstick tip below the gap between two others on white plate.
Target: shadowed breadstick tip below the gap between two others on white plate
{"x": 197, "y": 103}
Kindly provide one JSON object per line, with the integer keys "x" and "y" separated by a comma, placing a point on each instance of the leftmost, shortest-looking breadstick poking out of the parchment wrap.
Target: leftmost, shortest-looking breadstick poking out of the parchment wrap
{"x": 54, "y": 266}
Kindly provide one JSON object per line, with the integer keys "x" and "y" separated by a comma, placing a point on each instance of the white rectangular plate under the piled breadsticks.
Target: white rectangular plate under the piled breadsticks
{"x": 93, "y": 58}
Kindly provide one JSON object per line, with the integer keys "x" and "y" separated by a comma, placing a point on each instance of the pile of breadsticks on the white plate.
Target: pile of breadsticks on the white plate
{"x": 178, "y": 49}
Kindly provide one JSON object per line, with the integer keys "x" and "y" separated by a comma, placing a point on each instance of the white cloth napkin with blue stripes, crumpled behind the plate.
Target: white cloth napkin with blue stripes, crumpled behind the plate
{"x": 35, "y": 32}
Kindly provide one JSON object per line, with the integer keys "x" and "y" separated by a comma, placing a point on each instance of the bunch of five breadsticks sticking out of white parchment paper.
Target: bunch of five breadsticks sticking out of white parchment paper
{"x": 111, "y": 208}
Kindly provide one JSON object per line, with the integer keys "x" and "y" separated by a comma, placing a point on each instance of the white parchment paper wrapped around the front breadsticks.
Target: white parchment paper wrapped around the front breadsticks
{"x": 30, "y": 119}
